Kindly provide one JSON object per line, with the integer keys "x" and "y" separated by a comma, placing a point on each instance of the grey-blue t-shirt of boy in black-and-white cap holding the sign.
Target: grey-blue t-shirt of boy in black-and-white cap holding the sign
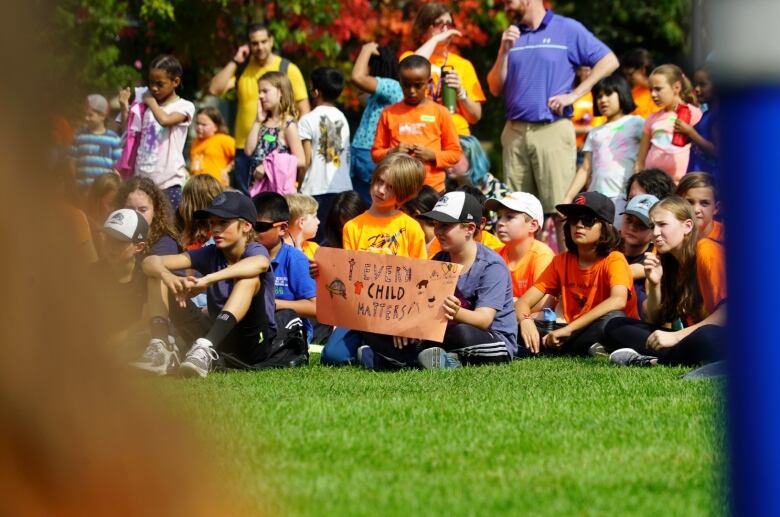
{"x": 487, "y": 283}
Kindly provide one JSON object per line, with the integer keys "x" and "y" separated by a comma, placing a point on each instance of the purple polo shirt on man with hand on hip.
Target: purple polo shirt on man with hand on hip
{"x": 542, "y": 64}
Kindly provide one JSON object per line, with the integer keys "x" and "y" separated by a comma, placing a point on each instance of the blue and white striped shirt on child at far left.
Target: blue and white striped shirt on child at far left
{"x": 95, "y": 154}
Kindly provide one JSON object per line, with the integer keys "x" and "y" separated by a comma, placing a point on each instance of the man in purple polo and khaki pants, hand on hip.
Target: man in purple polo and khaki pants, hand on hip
{"x": 535, "y": 70}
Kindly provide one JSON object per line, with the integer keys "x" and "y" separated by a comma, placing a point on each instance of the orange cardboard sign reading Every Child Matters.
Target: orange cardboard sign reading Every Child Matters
{"x": 384, "y": 294}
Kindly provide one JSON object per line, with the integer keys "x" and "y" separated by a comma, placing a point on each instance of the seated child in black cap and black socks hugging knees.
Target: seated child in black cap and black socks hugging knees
{"x": 237, "y": 327}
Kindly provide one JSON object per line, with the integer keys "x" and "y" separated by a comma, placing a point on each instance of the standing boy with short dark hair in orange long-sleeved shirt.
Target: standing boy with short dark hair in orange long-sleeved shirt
{"x": 417, "y": 126}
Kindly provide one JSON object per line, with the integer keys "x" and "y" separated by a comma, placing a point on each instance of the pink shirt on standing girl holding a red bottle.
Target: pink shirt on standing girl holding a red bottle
{"x": 662, "y": 154}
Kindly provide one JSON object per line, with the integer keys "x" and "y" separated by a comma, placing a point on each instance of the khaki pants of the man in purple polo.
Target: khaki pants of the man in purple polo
{"x": 540, "y": 158}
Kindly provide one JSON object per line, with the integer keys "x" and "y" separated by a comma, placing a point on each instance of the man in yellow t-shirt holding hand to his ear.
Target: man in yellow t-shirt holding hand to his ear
{"x": 249, "y": 63}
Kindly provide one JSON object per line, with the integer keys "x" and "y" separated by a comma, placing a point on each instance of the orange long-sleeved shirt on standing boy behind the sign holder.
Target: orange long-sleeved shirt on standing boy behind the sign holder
{"x": 427, "y": 124}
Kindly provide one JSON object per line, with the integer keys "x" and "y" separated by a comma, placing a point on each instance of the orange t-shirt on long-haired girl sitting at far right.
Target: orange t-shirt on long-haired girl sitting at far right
{"x": 710, "y": 277}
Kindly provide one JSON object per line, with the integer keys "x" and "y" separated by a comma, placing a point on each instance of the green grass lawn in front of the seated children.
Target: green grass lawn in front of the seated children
{"x": 537, "y": 437}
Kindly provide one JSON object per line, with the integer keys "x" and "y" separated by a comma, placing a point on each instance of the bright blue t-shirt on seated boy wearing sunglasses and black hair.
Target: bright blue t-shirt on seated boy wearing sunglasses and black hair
{"x": 292, "y": 280}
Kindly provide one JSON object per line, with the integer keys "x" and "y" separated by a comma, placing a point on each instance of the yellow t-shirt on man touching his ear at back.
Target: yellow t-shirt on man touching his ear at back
{"x": 247, "y": 92}
